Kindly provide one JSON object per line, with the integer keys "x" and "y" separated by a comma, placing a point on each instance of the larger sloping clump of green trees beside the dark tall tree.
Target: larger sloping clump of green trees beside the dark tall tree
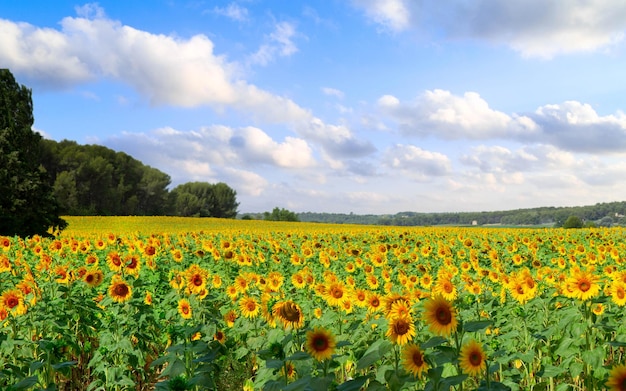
{"x": 95, "y": 180}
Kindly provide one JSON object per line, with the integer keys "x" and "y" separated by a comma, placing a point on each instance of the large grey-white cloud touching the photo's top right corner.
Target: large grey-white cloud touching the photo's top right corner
{"x": 534, "y": 28}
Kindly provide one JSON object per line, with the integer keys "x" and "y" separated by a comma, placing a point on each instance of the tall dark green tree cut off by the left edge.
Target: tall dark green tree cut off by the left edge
{"x": 27, "y": 203}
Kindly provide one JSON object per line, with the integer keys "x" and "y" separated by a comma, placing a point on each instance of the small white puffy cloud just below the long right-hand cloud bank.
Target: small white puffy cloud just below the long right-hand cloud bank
{"x": 416, "y": 162}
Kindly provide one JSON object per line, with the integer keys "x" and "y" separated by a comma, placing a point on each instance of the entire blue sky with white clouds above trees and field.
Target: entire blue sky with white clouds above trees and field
{"x": 340, "y": 106}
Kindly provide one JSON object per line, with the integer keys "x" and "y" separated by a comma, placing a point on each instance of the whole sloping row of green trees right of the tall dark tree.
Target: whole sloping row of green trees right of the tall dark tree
{"x": 96, "y": 180}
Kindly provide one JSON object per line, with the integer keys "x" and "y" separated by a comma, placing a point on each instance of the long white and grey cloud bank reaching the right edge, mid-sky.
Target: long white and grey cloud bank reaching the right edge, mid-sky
{"x": 571, "y": 126}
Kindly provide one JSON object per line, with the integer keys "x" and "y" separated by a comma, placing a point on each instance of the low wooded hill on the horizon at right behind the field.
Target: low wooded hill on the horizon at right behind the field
{"x": 601, "y": 214}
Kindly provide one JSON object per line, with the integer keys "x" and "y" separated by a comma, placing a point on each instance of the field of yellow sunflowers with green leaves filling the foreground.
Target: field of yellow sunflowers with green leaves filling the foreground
{"x": 206, "y": 304}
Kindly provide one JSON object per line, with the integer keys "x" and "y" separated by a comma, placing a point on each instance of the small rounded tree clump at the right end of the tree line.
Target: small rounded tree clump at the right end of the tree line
{"x": 202, "y": 199}
